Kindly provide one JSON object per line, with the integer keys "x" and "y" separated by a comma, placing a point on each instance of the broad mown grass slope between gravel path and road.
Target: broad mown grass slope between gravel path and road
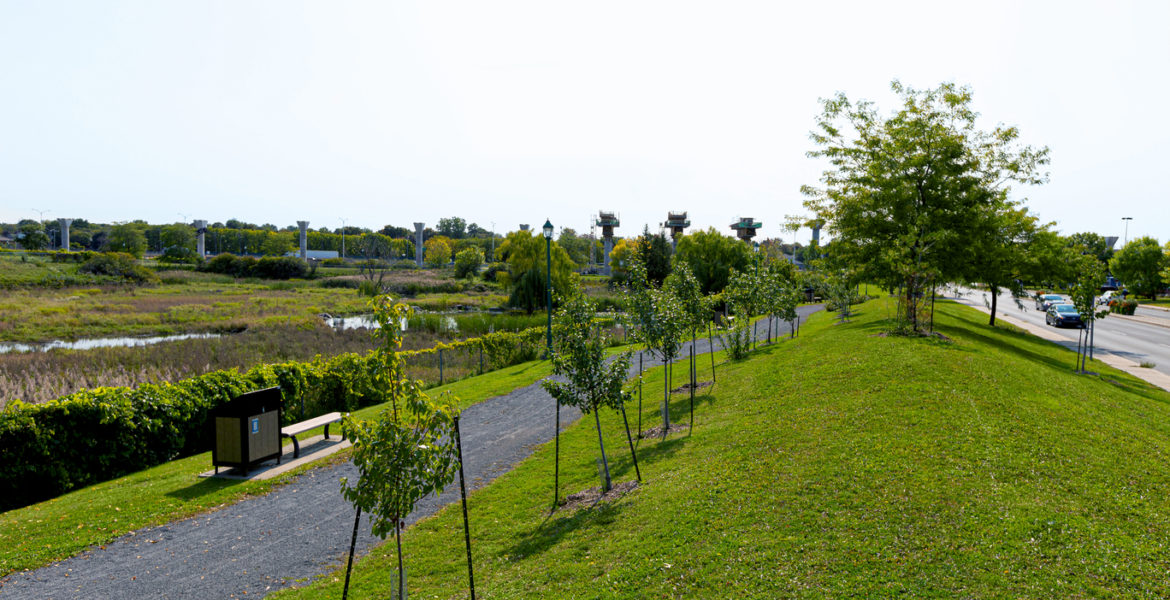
{"x": 842, "y": 464}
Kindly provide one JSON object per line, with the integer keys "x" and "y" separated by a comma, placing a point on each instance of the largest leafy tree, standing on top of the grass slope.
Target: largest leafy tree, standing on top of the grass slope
{"x": 903, "y": 191}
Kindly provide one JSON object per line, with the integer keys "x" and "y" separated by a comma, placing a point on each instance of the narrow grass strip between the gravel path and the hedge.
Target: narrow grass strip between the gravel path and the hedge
{"x": 38, "y": 535}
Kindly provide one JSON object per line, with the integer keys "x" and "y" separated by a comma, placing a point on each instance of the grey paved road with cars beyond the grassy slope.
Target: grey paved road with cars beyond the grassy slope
{"x": 1131, "y": 340}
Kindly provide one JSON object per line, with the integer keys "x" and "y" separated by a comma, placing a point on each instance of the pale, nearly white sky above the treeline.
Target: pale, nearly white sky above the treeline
{"x": 391, "y": 113}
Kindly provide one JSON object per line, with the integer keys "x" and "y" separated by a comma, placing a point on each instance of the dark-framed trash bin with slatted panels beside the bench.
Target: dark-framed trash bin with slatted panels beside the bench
{"x": 247, "y": 430}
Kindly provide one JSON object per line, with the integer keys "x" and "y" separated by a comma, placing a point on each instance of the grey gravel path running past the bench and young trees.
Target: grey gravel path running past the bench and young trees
{"x": 293, "y": 534}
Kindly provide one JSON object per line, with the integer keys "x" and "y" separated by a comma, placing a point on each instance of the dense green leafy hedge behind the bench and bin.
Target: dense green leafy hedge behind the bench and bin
{"x": 99, "y": 435}
